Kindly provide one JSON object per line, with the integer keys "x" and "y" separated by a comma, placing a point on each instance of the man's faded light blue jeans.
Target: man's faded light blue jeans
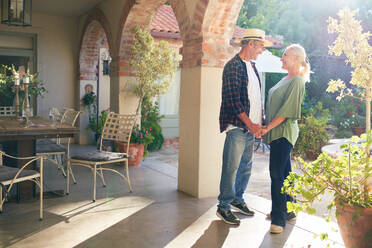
{"x": 236, "y": 167}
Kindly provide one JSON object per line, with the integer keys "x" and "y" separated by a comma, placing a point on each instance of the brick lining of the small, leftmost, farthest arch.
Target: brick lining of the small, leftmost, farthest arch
{"x": 96, "y": 34}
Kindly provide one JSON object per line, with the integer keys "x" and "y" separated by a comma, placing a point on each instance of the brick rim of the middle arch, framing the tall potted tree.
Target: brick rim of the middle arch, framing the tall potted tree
{"x": 141, "y": 14}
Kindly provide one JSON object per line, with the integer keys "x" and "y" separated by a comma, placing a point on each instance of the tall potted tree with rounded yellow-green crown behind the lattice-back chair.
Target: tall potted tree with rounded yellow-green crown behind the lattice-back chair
{"x": 154, "y": 65}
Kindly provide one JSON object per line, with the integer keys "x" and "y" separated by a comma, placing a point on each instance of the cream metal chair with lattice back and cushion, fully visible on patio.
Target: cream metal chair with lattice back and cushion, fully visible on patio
{"x": 117, "y": 128}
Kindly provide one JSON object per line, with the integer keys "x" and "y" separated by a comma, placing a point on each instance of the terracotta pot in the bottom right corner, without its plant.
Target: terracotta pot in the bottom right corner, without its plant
{"x": 355, "y": 225}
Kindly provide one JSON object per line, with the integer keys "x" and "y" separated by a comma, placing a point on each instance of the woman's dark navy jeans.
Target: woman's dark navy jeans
{"x": 280, "y": 167}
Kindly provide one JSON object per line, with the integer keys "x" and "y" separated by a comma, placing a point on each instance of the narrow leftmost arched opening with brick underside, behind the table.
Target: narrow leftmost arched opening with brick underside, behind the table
{"x": 94, "y": 65}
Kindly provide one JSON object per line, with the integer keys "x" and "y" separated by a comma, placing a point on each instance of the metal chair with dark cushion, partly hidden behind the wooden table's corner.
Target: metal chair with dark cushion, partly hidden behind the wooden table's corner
{"x": 54, "y": 150}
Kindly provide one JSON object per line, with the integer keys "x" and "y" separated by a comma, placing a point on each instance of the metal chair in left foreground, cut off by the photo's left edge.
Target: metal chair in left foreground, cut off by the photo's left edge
{"x": 10, "y": 176}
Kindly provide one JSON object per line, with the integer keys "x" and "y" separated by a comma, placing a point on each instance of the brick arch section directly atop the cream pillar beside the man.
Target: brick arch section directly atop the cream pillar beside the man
{"x": 208, "y": 40}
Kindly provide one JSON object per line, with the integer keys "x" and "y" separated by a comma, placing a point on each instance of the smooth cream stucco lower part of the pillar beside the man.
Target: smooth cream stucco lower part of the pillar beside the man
{"x": 200, "y": 152}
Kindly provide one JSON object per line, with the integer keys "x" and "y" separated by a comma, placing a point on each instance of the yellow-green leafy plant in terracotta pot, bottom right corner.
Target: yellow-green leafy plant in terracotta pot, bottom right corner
{"x": 343, "y": 176}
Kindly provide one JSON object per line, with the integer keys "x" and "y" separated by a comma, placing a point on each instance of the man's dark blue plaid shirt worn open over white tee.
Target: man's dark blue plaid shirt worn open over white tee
{"x": 235, "y": 93}
